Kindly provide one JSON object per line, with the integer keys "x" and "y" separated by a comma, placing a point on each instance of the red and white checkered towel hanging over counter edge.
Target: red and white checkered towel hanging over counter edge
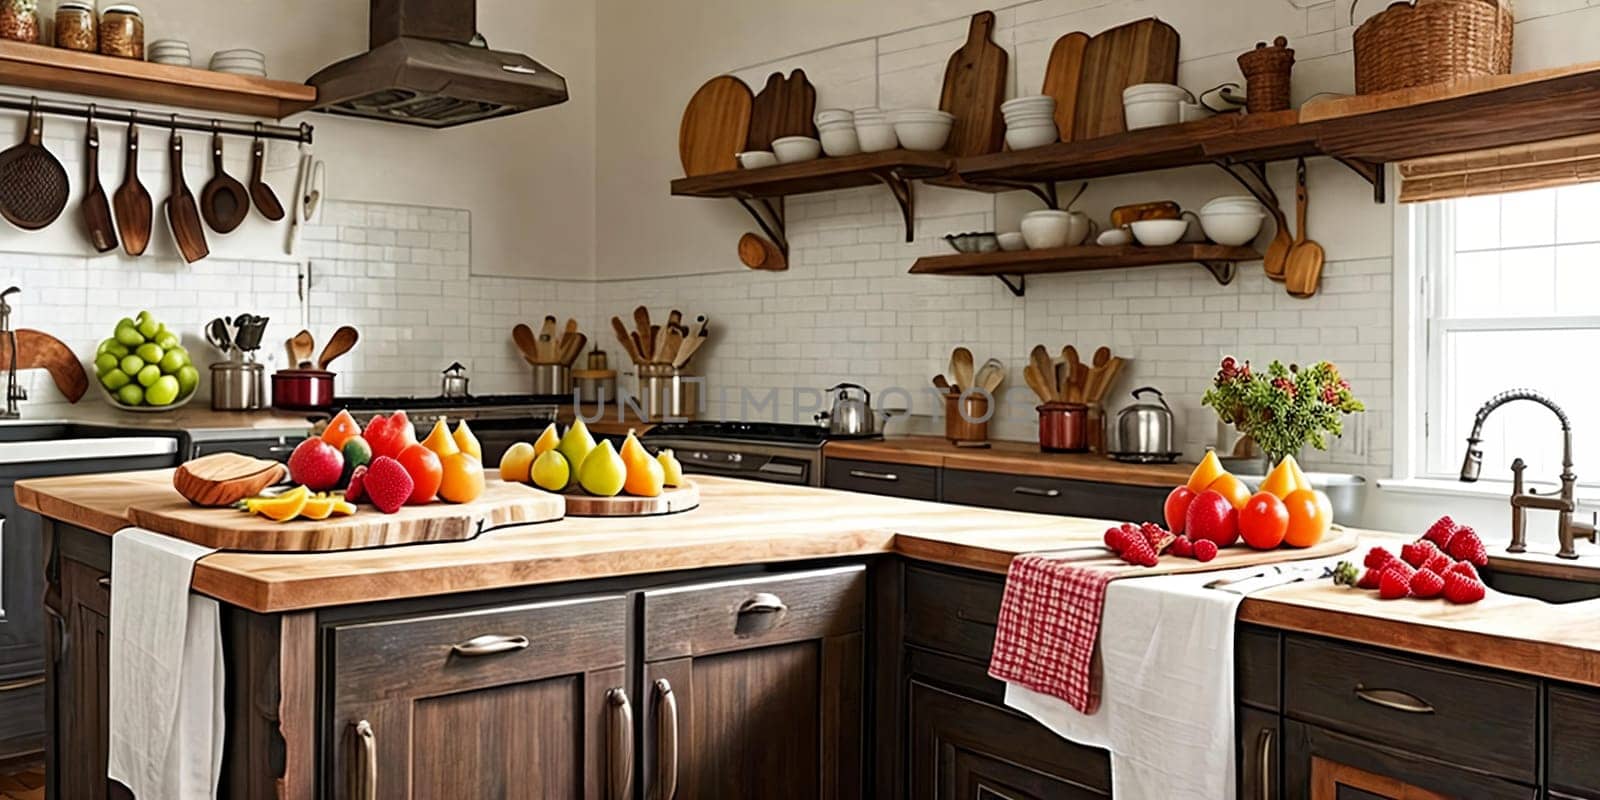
{"x": 1049, "y": 628}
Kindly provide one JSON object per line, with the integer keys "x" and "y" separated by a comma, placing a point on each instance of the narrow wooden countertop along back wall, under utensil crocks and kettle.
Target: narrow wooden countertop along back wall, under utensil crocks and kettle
{"x": 1012, "y": 458}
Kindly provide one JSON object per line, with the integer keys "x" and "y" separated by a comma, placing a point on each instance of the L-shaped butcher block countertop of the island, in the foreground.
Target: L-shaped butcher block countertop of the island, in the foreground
{"x": 742, "y": 524}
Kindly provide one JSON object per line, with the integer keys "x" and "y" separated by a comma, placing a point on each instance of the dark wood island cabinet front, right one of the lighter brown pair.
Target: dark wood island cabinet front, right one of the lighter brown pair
{"x": 754, "y": 689}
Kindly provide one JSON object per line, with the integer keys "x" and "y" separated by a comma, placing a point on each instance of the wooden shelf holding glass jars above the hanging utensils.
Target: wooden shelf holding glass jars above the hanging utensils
{"x": 55, "y": 70}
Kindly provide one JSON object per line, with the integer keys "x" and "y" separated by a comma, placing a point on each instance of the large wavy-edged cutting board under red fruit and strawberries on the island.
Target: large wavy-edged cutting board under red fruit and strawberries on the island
{"x": 439, "y": 522}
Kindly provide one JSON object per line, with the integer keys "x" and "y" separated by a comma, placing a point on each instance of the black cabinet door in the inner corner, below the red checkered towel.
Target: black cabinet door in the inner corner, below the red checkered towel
{"x": 964, "y": 750}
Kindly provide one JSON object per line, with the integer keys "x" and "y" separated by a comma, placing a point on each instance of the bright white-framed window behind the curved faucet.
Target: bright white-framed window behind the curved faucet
{"x": 1508, "y": 297}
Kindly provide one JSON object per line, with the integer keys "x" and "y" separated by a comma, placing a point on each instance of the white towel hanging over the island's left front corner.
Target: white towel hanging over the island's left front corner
{"x": 166, "y": 671}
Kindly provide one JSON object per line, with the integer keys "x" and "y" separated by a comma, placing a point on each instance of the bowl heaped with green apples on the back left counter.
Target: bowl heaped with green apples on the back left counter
{"x": 143, "y": 367}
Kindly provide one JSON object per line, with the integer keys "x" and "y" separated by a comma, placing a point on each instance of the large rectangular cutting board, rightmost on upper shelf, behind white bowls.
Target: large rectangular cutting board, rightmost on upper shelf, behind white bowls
{"x": 1145, "y": 52}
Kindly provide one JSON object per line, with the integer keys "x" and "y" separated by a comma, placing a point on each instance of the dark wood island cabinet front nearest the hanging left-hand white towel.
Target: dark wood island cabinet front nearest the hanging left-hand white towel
{"x": 510, "y": 703}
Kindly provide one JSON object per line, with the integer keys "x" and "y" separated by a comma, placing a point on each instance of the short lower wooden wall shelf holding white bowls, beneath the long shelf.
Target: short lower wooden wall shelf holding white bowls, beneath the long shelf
{"x": 1218, "y": 260}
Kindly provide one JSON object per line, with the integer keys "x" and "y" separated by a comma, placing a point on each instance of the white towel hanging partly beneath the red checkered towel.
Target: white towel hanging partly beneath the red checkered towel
{"x": 1167, "y": 703}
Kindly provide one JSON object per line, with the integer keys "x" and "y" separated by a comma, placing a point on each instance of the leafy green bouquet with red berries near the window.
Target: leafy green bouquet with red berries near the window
{"x": 1284, "y": 409}
